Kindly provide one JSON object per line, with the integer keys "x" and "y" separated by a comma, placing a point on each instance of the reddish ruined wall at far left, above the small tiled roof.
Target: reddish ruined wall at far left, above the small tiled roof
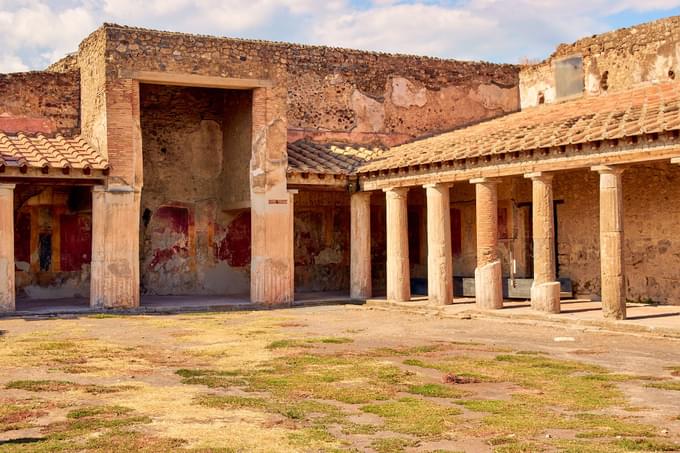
{"x": 40, "y": 102}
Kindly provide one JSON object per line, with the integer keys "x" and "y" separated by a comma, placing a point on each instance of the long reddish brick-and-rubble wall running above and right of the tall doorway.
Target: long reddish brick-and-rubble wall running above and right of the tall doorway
{"x": 337, "y": 94}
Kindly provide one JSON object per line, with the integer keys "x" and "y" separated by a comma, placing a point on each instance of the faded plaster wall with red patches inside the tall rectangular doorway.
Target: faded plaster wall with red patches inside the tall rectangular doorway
{"x": 196, "y": 145}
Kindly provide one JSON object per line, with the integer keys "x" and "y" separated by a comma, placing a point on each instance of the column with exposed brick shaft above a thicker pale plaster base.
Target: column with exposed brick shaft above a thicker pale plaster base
{"x": 488, "y": 274}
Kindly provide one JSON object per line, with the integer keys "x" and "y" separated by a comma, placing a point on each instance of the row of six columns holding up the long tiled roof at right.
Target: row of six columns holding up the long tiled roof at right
{"x": 545, "y": 291}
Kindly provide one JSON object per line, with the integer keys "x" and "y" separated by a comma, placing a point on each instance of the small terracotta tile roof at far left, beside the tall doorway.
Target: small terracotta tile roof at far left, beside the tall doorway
{"x": 58, "y": 152}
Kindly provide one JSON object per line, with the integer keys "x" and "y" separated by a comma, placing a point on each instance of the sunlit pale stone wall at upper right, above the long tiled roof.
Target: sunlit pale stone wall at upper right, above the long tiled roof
{"x": 611, "y": 61}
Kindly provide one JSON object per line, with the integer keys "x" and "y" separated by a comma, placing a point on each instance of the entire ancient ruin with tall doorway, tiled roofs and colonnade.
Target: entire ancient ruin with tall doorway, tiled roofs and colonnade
{"x": 153, "y": 163}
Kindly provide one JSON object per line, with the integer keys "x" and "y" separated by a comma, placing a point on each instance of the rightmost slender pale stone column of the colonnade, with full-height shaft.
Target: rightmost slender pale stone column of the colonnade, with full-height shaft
{"x": 611, "y": 243}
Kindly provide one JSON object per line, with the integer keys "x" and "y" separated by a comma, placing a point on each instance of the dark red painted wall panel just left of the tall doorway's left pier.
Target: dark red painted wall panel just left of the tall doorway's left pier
{"x": 76, "y": 241}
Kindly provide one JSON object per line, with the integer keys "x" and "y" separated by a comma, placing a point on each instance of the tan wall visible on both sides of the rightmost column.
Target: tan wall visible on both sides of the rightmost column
{"x": 651, "y": 216}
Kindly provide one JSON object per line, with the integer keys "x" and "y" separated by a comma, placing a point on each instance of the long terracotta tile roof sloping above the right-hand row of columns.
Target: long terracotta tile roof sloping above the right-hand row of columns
{"x": 644, "y": 110}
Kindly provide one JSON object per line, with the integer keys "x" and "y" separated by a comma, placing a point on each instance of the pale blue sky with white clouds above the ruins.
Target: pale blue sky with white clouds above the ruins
{"x": 34, "y": 33}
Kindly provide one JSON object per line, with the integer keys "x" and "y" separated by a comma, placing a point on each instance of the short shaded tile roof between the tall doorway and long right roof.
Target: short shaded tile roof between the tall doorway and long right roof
{"x": 328, "y": 158}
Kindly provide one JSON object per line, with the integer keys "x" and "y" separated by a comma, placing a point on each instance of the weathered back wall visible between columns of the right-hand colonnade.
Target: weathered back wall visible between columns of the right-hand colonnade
{"x": 651, "y": 215}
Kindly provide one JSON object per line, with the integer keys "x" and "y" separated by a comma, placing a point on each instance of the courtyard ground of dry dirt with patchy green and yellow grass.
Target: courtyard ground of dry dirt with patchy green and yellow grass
{"x": 331, "y": 379}
